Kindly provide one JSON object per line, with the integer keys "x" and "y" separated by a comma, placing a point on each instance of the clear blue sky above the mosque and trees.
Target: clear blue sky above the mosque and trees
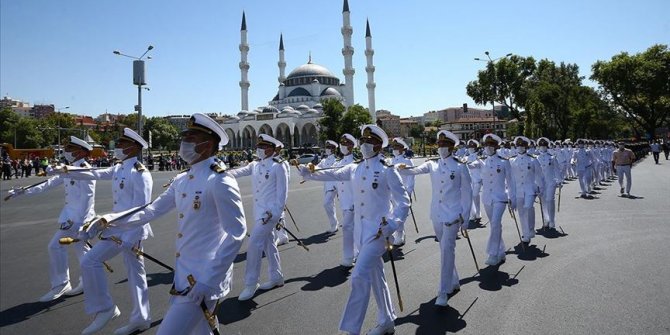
{"x": 60, "y": 52}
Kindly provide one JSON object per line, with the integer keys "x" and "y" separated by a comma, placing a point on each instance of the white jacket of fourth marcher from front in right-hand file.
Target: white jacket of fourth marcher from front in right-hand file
{"x": 526, "y": 175}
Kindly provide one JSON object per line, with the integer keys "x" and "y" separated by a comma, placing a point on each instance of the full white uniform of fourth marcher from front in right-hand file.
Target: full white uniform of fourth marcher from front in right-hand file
{"x": 528, "y": 182}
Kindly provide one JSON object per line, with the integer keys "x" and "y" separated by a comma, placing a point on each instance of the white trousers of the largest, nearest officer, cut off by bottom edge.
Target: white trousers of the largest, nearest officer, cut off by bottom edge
{"x": 185, "y": 317}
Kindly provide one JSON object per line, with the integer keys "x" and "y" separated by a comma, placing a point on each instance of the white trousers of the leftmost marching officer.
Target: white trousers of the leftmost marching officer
{"x": 59, "y": 270}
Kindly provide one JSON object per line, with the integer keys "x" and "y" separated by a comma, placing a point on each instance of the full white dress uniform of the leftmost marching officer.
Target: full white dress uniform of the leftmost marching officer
{"x": 79, "y": 202}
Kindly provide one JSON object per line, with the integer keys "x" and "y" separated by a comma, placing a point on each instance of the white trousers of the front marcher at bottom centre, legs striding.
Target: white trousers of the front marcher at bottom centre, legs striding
{"x": 368, "y": 275}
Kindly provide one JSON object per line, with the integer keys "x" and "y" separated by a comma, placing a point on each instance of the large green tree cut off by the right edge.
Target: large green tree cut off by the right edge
{"x": 638, "y": 85}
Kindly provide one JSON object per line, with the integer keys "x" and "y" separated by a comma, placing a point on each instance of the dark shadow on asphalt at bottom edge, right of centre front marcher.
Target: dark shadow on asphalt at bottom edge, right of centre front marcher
{"x": 433, "y": 319}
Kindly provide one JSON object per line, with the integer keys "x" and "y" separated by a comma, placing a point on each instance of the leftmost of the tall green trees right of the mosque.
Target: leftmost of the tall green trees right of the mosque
{"x": 503, "y": 82}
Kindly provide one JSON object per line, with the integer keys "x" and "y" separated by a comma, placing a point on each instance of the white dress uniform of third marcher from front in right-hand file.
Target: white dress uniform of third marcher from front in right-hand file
{"x": 497, "y": 190}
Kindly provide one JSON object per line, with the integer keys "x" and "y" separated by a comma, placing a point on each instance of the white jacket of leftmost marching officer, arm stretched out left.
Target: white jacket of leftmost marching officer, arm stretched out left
{"x": 79, "y": 196}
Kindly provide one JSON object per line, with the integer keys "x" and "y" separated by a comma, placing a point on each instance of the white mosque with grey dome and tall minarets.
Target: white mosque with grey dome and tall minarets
{"x": 292, "y": 115}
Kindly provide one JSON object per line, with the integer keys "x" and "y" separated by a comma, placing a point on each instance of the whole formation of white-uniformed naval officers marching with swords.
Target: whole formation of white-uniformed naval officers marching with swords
{"x": 375, "y": 196}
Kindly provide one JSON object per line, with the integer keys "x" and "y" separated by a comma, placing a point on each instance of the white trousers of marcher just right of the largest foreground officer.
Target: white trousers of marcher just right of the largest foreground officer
{"x": 262, "y": 240}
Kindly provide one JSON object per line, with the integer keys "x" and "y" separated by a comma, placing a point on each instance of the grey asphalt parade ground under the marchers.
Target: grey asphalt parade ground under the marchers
{"x": 606, "y": 270}
